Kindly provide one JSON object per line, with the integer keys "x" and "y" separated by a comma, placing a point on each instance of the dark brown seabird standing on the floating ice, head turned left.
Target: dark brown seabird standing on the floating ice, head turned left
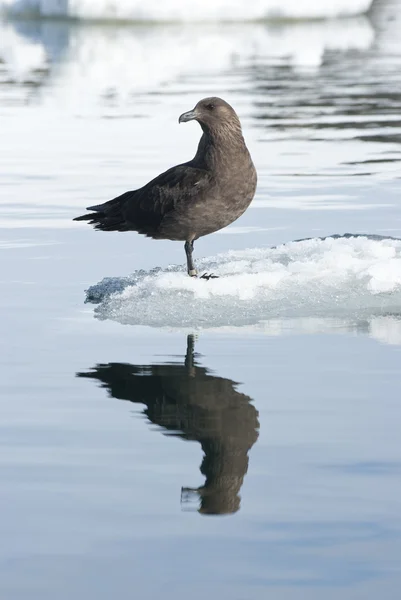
{"x": 195, "y": 198}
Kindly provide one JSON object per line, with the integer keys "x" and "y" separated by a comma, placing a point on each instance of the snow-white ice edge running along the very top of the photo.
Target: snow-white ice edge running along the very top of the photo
{"x": 188, "y": 10}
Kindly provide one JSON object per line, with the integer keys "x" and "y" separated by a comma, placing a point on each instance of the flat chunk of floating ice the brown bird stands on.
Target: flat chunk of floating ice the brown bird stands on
{"x": 337, "y": 277}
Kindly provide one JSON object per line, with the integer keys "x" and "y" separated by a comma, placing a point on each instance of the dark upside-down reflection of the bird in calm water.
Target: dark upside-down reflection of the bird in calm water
{"x": 189, "y": 401}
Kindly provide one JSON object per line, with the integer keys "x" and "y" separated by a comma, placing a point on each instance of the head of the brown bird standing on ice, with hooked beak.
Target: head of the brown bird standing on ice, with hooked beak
{"x": 212, "y": 113}
